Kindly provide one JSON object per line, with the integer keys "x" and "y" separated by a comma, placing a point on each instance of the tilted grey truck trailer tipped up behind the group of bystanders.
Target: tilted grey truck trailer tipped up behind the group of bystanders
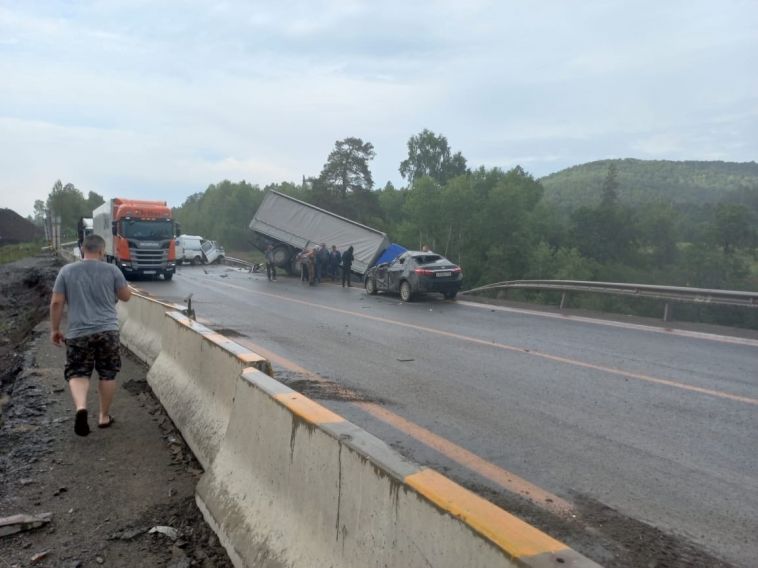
{"x": 291, "y": 225}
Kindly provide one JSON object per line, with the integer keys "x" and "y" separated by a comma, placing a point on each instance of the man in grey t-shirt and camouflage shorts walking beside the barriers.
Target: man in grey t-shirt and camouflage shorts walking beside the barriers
{"x": 91, "y": 289}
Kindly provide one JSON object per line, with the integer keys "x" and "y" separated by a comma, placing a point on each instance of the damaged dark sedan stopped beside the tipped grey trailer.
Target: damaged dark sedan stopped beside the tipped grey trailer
{"x": 414, "y": 273}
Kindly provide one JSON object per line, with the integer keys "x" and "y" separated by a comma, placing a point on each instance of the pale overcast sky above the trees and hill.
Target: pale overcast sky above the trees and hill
{"x": 158, "y": 100}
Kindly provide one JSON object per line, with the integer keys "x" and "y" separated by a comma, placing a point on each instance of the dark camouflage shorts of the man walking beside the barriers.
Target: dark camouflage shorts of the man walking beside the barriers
{"x": 100, "y": 351}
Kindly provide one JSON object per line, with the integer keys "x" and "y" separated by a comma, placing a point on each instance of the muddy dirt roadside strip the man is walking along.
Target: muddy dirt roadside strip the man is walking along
{"x": 105, "y": 492}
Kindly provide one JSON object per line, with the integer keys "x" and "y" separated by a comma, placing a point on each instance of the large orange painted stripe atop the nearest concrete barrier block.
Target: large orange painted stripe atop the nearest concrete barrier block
{"x": 517, "y": 538}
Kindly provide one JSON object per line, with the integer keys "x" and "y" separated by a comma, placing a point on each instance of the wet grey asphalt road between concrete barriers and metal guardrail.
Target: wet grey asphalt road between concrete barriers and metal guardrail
{"x": 661, "y": 427}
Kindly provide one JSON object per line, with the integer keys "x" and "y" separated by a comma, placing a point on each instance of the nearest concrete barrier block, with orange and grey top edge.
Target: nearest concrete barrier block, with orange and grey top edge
{"x": 295, "y": 484}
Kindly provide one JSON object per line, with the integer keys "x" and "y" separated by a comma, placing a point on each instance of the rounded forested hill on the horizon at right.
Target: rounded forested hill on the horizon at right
{"x": 645, "y": 181}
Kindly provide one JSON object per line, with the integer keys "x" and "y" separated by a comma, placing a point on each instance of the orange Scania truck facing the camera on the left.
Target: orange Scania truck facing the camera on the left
{"x": 139, "y": 236}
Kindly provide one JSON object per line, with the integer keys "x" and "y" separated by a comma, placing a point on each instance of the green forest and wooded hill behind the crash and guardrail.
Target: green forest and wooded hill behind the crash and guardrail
{"x": 655, "y": 222}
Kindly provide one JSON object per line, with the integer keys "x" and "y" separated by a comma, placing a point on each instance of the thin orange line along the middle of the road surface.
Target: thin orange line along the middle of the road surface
{"x": 555, "y": 358}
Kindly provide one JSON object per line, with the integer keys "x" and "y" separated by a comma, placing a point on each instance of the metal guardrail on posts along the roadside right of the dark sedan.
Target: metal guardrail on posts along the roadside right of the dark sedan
{"x": 666, "y": 293}
